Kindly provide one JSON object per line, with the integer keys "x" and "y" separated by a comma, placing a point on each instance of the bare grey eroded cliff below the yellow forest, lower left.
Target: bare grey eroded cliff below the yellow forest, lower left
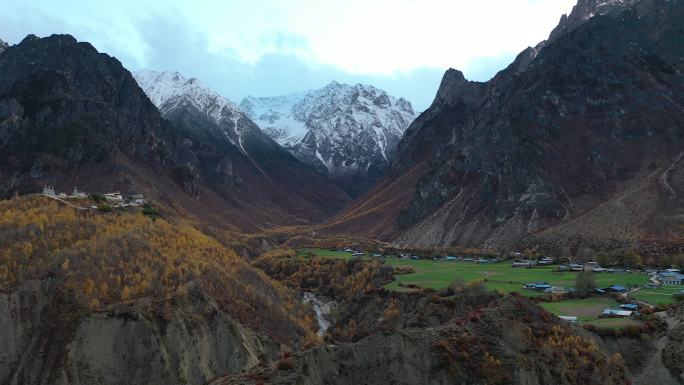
{"x": 48, "y": 339}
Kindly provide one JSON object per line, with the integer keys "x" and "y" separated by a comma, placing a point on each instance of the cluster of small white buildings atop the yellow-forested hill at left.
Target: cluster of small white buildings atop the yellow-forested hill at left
{"x": 112, "y": 199}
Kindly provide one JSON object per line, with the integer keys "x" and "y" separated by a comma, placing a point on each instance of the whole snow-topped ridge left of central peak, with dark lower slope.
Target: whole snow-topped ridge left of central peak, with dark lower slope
{"x": 264, "y": 182}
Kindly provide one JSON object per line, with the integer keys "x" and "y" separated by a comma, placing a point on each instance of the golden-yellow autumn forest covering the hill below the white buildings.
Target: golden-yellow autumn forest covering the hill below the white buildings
{"x": 107, "y": 258}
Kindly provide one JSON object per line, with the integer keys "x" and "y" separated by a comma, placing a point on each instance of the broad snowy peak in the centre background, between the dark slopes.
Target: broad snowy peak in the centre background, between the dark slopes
{"x": 348, "y": 132}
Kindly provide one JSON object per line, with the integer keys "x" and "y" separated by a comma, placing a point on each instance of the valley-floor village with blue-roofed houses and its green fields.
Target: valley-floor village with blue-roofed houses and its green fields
{"x": 618, "y": 296}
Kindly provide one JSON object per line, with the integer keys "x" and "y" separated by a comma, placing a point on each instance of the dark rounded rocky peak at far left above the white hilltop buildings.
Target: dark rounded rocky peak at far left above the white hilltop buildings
{"x": 64, "y": 106}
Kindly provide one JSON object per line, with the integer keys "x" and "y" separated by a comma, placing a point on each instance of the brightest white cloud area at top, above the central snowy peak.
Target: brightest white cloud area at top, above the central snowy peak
{"x": 379, "y": 36}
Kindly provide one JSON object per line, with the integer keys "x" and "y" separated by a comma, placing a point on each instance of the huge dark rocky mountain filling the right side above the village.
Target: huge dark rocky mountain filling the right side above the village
{"x": 594, "y": 118}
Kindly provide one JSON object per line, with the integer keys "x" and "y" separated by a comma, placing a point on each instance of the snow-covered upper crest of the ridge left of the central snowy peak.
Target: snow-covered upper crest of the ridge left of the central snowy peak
{"x": 171, "y": 92}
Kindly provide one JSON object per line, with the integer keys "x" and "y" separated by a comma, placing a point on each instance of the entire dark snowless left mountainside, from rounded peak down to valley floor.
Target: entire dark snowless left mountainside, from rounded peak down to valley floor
{"x": 70, "y": 116}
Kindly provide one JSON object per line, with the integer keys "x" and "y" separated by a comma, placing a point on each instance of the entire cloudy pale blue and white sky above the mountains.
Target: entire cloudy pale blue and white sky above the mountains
{"x": 273, "y": 47}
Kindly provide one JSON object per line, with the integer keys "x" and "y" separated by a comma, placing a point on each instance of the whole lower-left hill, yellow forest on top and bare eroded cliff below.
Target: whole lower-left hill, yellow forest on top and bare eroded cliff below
{"x": 120, "y": 298}
